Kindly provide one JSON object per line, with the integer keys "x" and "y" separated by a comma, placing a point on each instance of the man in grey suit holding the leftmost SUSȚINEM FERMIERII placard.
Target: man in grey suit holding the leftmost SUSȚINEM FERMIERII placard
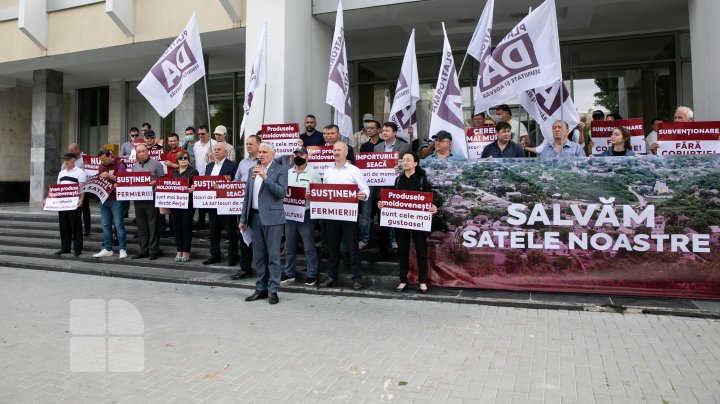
{"x": 146, "y": 214}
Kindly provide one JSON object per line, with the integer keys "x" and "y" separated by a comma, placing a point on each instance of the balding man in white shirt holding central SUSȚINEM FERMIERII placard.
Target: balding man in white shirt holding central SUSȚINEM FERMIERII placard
{"x": 339, "y": 230}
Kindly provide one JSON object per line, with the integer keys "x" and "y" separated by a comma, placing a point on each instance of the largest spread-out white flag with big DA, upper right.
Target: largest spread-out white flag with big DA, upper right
{"x": 527, "y": 58}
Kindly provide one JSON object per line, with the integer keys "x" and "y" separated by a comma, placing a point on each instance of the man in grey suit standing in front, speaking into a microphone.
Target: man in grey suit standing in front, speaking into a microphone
{"x": 263, "y": 212}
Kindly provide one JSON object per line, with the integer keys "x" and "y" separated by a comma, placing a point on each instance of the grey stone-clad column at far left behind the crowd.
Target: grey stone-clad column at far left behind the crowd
{"x": 46, "y": 130}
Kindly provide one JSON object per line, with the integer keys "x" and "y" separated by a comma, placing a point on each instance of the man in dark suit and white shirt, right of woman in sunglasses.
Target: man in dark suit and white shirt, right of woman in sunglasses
{"x": 222, "y": 166}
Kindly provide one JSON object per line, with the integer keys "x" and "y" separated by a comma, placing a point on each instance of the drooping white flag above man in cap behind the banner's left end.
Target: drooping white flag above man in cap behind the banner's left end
{"x": 447, "y": 112}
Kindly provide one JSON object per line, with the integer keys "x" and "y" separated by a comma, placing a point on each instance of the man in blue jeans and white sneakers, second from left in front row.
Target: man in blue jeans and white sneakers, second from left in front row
{"x": 111, "y": 211}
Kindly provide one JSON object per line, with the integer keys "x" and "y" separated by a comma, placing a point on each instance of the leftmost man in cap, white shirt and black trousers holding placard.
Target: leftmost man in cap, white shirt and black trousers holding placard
{"x": 70, "y": 224}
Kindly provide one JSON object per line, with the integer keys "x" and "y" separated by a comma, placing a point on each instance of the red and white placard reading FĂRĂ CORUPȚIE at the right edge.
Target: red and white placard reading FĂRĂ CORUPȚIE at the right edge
{"x": 677, "y": 138}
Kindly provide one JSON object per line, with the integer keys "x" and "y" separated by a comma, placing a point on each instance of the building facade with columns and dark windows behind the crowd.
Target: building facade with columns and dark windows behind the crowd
{"x": 69, "y": 68}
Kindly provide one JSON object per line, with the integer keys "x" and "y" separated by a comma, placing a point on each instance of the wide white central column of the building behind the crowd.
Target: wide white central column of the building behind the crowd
{"x": 297, "y": 62}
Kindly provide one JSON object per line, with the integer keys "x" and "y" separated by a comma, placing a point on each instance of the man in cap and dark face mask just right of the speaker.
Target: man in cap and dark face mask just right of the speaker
{"x": 301, "y": 175}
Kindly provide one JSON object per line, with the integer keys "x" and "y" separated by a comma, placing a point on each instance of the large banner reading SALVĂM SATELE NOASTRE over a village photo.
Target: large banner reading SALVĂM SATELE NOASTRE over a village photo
{"x": 634, "y": 226}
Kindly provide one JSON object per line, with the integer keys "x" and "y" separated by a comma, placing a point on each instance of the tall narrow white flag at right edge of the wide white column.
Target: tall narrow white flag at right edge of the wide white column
{"x": 338, "y": 91}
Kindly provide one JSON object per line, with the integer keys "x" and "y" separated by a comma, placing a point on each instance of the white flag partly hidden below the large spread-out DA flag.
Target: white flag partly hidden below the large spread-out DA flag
{"x": 545, "y": 106}
